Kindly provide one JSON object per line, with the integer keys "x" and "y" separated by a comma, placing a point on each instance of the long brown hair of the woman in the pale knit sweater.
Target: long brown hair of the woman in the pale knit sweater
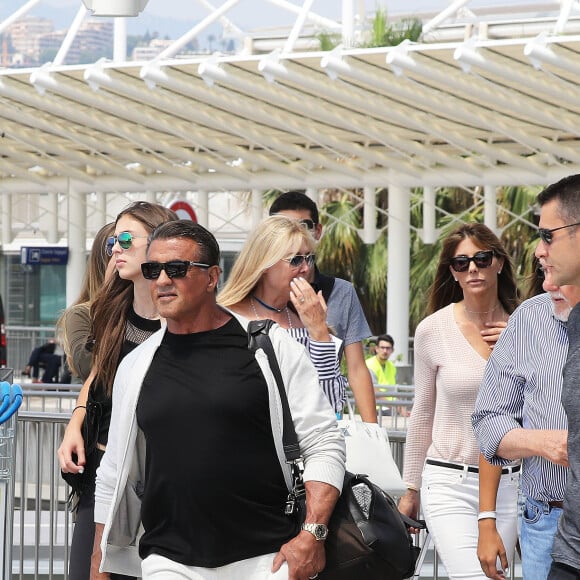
{"x": 445, "y": 290}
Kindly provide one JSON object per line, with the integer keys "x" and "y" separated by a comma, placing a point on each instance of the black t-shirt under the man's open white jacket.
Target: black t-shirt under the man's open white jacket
{"x": 214, "y": 491}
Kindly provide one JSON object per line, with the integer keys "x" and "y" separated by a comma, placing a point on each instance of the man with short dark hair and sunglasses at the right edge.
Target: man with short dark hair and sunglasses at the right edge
{"x": 559, "y": 254}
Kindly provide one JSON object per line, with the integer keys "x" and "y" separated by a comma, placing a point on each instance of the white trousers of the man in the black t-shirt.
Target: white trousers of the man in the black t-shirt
{"x": 156, "y": 567}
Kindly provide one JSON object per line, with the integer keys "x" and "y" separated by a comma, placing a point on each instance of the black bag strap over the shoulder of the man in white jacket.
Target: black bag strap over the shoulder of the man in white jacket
{"x": 258, "y": 337}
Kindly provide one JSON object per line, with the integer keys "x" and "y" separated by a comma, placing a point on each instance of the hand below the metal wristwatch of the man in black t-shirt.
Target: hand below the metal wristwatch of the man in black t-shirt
{"x": 305, "y": 557}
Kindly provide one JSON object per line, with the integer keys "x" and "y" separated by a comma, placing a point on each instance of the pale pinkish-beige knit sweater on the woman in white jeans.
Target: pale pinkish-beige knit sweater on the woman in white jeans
{"x": 448, "y": 373}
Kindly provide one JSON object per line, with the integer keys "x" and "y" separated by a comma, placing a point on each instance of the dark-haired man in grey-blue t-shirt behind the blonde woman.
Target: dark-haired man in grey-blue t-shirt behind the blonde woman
{"x": 345, "y": 314}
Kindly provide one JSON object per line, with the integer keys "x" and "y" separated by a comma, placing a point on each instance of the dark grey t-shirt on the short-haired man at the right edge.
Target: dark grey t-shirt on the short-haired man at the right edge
{"x": 566, "y": 545}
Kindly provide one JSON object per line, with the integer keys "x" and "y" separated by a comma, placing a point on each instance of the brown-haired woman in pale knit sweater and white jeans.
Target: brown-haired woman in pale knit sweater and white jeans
{"x": 470, "y": 300}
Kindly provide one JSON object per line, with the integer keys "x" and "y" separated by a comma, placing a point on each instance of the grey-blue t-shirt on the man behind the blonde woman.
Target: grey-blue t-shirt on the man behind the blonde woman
{"x": 345, "y": 314}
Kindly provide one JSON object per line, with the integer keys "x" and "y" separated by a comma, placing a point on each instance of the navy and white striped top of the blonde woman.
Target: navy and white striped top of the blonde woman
{"x": 324, "y": 356}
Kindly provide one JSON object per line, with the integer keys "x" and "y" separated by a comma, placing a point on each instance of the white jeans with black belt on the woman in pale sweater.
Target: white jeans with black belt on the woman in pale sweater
{"x": 450, "y": 501}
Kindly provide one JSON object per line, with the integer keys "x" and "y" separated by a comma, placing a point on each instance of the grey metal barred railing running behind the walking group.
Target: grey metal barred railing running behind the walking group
{"x": 42, "y": 523}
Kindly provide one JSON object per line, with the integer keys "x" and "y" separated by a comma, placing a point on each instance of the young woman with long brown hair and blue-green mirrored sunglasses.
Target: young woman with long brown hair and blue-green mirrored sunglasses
{"x": 123, "y": 316}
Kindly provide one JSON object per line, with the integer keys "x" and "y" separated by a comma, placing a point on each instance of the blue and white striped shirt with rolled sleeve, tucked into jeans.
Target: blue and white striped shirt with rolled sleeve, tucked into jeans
{"x": 522, "y": 387}
